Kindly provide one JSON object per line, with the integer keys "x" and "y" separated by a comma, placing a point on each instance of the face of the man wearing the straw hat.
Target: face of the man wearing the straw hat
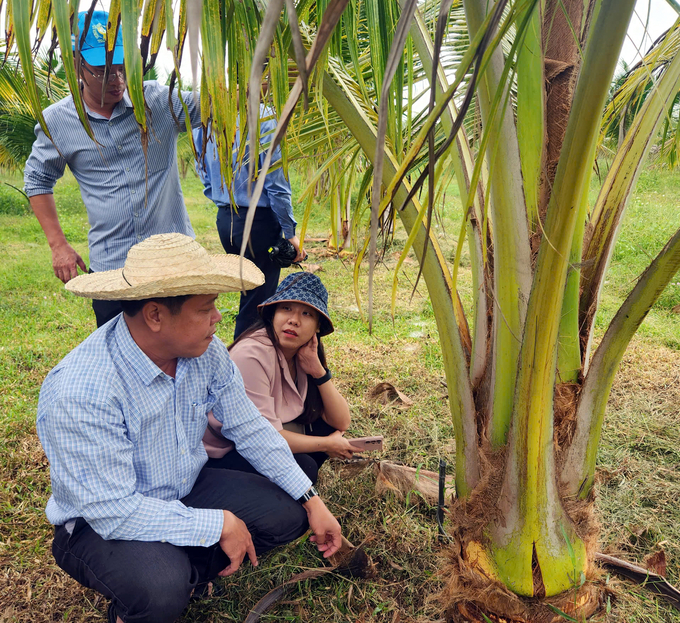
{"x": 189, "y": 333}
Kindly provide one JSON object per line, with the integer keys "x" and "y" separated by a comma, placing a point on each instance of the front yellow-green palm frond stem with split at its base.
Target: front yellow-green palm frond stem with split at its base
{"x": 535, "y": 529}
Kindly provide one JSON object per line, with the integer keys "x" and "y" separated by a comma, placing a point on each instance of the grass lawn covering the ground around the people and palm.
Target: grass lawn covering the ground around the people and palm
{"x": 638, "y": 477}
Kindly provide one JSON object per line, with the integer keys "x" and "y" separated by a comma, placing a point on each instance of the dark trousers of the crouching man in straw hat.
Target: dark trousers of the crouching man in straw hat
{"x": 151, "y": 581}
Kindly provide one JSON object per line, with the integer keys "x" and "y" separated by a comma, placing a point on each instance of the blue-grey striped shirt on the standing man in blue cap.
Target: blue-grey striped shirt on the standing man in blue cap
{"x": 111, "y": 175}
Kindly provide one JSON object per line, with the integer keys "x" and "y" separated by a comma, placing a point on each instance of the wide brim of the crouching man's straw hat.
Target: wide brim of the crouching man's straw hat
{"x": 224, "y": 276}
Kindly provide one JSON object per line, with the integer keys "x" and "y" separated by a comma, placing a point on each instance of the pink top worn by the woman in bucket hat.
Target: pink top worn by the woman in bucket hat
{"x": 268, "y": 384}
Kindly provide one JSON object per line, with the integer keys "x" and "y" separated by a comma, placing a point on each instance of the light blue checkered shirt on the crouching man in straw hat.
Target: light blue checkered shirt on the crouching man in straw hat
{"x": 124, "y": 439}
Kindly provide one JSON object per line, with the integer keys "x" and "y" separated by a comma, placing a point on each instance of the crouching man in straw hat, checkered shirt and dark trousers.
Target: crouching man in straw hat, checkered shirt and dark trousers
{"x": 137, "y": 515}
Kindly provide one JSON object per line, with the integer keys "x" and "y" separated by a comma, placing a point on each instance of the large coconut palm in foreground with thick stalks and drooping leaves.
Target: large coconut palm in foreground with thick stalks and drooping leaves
{"x": 525, "y": 459}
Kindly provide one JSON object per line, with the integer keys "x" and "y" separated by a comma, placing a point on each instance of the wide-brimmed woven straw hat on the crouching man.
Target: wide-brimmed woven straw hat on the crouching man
{"x": 168, "y": 265}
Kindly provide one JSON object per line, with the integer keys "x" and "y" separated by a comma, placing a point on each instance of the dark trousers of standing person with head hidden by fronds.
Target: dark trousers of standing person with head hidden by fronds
{"x": 265, "y": 233}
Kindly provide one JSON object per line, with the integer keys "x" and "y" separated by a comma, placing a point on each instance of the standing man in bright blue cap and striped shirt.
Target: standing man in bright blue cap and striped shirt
{"x": 112, "y": 172}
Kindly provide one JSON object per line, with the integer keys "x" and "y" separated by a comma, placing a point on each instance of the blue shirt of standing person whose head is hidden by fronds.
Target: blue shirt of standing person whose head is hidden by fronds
{"x": 276, "y": 193}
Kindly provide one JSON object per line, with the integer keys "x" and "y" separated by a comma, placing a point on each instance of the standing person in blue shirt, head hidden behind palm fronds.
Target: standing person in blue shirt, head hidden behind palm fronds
{"x": 273, "y": 217}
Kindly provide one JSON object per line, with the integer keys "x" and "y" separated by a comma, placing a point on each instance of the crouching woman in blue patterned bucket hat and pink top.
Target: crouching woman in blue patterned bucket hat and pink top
{"x": 283, "y": 364}
